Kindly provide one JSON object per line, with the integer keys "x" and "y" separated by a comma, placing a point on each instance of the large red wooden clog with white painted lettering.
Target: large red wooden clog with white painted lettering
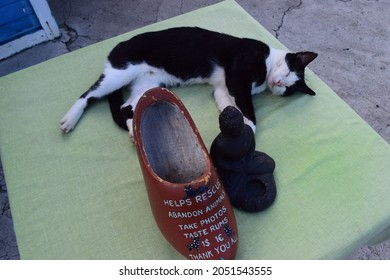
{"x": 186, "y": 196}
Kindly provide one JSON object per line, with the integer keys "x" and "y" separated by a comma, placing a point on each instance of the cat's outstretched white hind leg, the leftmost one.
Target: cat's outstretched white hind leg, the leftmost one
{"x": 111, "y": 80}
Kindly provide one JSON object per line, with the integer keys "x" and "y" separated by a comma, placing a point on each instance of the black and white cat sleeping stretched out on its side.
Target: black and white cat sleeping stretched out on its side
{"x": 237, "y": 68}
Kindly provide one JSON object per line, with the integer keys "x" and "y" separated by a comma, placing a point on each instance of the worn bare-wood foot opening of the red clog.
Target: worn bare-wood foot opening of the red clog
{"x": 170, "y": 144}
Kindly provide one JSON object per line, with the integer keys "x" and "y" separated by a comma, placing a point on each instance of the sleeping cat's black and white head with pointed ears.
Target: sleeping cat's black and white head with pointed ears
{"x": 287, "y": 73}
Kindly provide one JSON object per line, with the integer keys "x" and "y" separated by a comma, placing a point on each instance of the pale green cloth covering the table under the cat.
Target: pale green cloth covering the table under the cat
{"x": 82, "y": 195}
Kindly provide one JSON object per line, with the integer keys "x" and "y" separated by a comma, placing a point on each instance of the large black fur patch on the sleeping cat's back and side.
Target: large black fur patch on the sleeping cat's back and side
{"x": 188, "y": 52}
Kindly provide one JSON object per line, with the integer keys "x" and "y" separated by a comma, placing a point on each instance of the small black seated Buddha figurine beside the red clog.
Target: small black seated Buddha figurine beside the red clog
{"x": 246, "y": 174}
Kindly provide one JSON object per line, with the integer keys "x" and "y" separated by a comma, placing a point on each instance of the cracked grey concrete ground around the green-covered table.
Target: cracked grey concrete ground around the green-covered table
{"x": 351, "y": 37}
